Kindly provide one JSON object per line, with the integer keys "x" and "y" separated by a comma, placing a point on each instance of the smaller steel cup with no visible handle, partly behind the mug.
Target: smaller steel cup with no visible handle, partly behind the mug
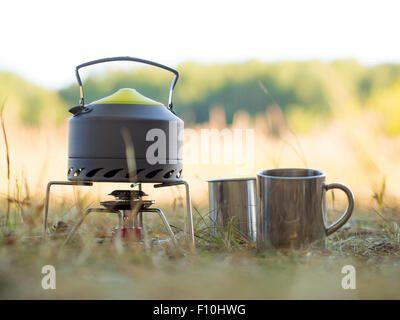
{"x": 233, "y": 203}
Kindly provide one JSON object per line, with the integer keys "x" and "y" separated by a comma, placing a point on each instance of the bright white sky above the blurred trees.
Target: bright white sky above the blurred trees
{"x": 44, "y": 40}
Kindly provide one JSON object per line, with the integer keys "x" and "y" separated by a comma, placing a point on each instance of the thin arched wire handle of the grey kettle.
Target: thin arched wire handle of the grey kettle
{"x": 155, "y": 64}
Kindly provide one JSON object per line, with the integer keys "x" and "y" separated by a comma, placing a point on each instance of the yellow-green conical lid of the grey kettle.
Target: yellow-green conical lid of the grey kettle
{"x": 127, "y": 96}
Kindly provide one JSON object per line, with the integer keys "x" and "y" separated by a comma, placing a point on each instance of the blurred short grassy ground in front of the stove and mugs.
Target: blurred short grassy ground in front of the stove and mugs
{"x": 218, "y": 268}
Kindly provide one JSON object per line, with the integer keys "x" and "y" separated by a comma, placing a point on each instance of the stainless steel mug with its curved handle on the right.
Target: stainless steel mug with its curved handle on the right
{"x": 292, "y": 210}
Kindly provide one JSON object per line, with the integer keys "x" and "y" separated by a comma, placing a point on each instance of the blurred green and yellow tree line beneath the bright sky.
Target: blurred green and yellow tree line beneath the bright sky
{"x": 305, "y": 91}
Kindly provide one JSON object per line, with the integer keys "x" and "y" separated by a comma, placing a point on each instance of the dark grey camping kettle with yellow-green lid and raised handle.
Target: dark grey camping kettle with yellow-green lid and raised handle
{"x": 97, "y": 141}
